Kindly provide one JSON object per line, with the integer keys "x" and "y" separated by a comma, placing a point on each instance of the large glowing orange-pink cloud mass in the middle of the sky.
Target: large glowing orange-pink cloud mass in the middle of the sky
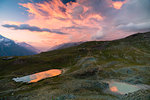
{"x": 55, "y": 15}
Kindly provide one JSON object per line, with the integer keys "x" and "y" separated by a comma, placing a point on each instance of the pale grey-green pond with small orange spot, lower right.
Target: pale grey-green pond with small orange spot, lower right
{"x": 125, "y": 88}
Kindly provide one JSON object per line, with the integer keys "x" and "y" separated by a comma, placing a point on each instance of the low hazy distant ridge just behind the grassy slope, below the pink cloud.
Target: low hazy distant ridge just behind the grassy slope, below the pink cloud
{"x": 65, "y": 45}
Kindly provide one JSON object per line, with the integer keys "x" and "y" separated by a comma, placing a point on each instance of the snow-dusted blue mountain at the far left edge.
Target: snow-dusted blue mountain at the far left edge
{"x": 9, "y": 48}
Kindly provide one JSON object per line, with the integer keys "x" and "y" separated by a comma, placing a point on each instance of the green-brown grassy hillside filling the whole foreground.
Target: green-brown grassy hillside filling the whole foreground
{"x": 87, "y": 72}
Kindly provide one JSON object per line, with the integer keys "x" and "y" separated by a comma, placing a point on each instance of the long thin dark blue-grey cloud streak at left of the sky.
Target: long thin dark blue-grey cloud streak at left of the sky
{"x": 31, "y": 28}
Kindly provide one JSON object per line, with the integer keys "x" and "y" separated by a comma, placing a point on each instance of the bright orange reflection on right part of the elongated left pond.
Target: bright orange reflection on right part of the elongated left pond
{"x": 41, "y": 75}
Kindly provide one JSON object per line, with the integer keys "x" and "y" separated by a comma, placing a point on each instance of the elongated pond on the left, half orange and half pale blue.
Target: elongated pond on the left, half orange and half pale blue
{"x": 38, "y": 76}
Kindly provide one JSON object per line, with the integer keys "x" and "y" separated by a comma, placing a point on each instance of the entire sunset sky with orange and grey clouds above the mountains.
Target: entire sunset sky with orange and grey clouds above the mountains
{"x": 47, "y": 23}
